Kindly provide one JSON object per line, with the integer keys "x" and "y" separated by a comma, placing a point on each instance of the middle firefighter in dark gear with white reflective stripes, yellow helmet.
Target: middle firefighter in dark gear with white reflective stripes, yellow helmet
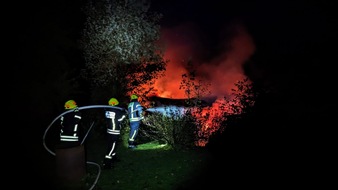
{"x": 114, "y": 117}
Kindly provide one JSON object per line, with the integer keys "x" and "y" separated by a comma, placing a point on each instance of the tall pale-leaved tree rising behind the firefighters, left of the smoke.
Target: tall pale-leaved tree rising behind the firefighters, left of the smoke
{"x": 120, "y": 47}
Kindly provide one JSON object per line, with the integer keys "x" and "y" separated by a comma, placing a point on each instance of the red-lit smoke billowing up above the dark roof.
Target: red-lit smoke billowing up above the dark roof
{"x": 218, "y": 64}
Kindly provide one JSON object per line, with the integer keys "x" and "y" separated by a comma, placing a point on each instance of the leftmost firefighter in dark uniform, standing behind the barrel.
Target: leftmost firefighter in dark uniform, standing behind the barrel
{"x": 70, "y": 125}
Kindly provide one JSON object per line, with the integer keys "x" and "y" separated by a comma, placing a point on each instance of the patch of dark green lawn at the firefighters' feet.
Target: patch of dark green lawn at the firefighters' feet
{"x": 151, "y": 166}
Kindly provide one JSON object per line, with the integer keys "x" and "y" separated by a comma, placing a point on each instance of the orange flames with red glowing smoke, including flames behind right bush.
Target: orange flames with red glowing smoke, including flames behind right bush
{"x": 222, "y": 71}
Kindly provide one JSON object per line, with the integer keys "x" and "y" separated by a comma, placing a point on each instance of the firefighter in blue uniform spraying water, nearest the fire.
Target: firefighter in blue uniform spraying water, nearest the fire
{"x": 135, "y": 114}
